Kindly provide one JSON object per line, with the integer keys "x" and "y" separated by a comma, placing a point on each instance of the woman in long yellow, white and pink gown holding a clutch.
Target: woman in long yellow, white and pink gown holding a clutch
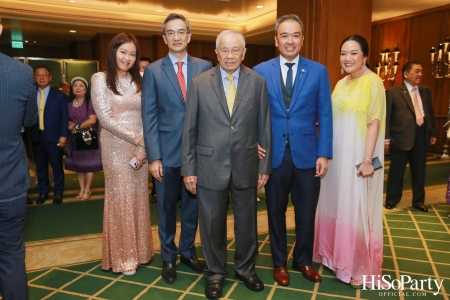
{"x": 349, "y": 231}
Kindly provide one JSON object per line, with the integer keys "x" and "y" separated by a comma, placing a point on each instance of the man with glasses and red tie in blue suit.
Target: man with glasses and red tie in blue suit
{"x": 164, "y": 89}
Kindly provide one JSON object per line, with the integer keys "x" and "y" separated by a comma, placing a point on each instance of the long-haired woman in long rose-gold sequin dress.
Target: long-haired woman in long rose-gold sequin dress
{"x": 116, "y": 95}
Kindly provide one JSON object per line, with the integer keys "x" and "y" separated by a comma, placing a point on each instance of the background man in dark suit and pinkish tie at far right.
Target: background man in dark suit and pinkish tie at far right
{"x": 410, "y": 129}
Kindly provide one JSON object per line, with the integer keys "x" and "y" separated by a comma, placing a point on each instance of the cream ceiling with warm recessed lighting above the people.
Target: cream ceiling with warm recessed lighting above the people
{"x": 48, "y": 21}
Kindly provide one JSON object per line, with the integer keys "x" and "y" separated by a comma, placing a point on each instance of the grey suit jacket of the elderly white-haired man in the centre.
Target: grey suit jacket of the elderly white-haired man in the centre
{"x": 217, "y": 147}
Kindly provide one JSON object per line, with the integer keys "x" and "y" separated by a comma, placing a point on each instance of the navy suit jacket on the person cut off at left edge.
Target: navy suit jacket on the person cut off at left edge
{"x": 18, "y": 107}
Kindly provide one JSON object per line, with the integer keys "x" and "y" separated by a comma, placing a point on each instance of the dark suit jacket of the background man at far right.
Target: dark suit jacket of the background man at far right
{"x": 401, "y": 118}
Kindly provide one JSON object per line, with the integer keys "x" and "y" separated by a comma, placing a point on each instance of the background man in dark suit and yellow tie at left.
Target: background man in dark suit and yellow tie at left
{"x": 49, "y": 135}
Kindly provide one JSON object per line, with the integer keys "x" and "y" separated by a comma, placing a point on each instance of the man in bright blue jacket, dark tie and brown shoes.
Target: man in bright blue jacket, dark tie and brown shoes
{"x": 299, "y": 93}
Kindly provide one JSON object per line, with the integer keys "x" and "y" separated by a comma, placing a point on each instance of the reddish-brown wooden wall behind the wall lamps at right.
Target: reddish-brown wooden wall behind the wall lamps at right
{"x": 415, "y": 35}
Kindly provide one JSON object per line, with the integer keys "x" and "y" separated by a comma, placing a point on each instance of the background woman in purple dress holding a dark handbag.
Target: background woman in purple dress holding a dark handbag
{"x": 82, "y": 117}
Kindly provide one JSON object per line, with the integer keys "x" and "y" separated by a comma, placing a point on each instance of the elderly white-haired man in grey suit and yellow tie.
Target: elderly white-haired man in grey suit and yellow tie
{"x": 227, "y": 115}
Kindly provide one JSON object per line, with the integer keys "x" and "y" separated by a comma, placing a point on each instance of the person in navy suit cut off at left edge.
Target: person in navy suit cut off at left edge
{"x": 18, "y": 108}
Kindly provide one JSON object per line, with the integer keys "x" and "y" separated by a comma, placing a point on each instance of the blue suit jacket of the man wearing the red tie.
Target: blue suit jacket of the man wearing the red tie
{"x": 163, "y": 109}
